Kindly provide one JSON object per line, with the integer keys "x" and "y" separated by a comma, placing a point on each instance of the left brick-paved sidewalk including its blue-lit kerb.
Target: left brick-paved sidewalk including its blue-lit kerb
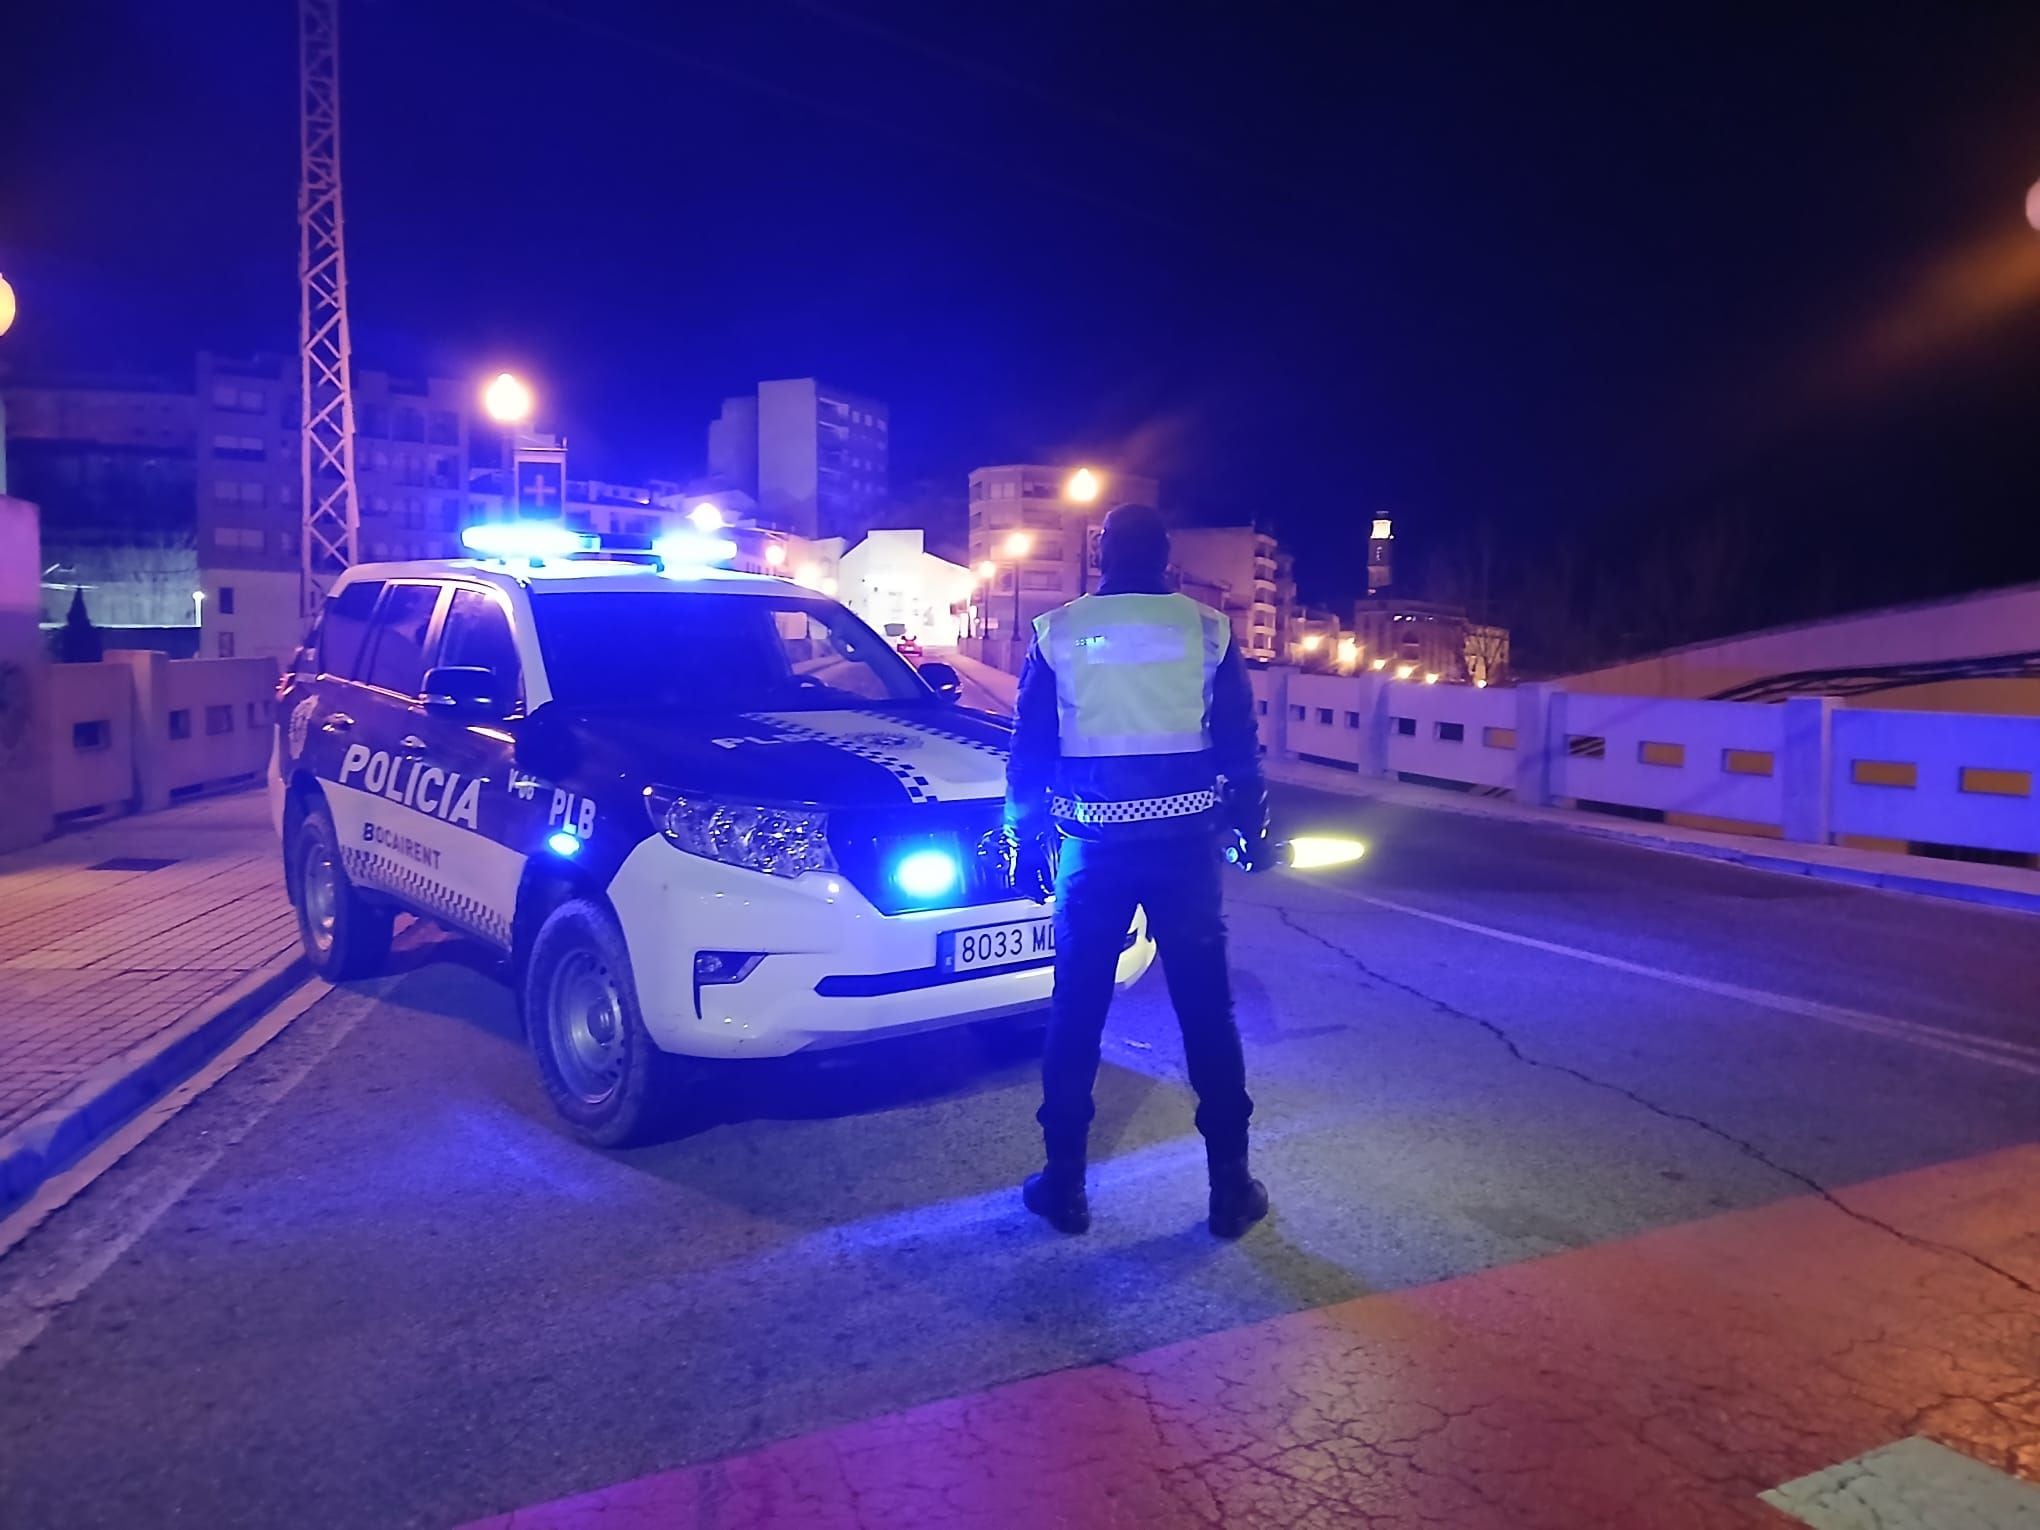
{"x": 119, "y": 946}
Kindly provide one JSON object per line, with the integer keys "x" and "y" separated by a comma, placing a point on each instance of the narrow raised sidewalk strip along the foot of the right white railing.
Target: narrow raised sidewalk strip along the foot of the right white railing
{"x": 1915, "y": 874}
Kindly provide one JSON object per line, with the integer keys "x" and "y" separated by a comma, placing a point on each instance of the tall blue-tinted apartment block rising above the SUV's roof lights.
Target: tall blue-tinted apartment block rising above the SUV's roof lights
{"x": 813, "y": 456}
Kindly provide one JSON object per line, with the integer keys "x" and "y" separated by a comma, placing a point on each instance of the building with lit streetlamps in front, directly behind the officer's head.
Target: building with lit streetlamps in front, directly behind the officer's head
{"x": 1029, "y": 501}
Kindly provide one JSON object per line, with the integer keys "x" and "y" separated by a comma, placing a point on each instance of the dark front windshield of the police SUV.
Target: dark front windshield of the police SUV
{"x": 715, "y": 654}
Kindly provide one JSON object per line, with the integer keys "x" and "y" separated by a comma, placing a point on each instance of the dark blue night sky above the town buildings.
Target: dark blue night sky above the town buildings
{"x": 1576, "y": 283}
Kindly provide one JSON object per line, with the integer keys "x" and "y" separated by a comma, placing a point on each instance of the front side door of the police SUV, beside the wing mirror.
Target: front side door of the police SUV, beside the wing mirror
{"x": 476, "y": 823}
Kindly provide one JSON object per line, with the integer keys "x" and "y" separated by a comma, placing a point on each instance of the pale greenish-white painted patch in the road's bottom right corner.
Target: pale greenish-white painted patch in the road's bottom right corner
{"x": 1910, "y": 1486}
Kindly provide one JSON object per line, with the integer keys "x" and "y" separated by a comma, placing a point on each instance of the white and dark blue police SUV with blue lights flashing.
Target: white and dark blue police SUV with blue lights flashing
{"x": 703, "y": 813}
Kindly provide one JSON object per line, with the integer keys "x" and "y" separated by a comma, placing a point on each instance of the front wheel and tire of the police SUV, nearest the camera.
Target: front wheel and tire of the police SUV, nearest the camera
{"x": 601, "y": 1068}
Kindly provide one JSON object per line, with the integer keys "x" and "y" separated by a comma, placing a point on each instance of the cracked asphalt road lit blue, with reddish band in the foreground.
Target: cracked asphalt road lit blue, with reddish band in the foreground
{"x": 1613, "y": 1188}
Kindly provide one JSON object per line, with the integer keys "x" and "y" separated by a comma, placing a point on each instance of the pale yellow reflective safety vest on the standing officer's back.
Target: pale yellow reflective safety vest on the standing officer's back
{"x": 1133, "y": 674}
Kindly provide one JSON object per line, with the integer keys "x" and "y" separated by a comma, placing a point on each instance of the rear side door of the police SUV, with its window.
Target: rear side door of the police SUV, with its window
{"x": 374, "y": 788}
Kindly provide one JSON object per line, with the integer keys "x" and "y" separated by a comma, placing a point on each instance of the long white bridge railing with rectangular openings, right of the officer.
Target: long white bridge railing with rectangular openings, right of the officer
{"x": 1804, "y": 770}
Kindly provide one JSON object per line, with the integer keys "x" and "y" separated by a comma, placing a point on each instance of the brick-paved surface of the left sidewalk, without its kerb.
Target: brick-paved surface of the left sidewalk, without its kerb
{"x": 113, "y": 935}
